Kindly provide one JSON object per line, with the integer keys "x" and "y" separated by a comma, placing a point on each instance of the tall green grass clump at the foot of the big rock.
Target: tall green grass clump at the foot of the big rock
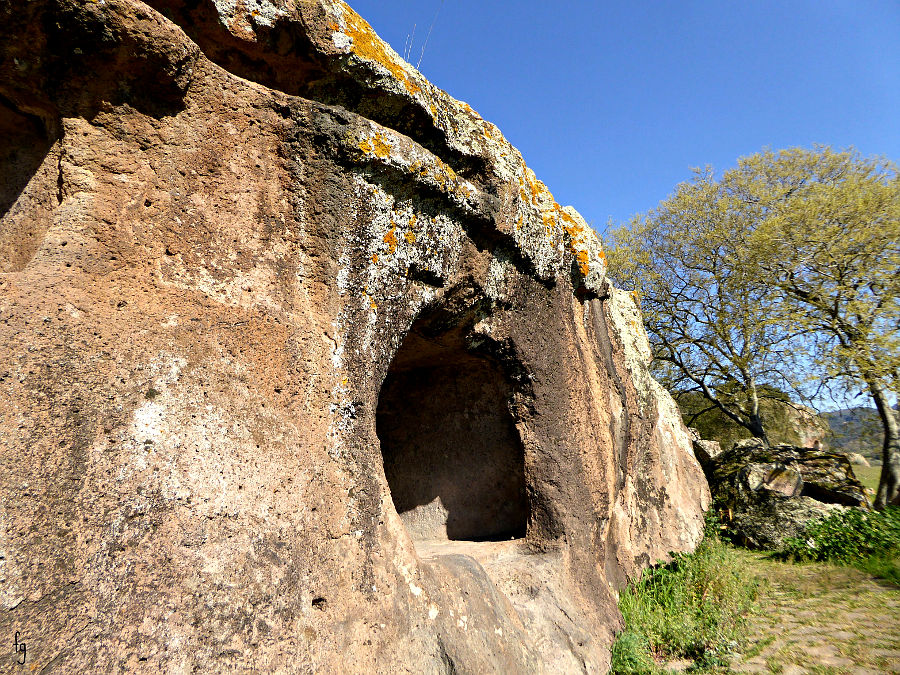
{"x": 693, "y": 607}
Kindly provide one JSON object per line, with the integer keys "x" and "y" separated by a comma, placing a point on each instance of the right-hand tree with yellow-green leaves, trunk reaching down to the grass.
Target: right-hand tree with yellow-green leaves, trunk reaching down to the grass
{"x": 830, "y": 247}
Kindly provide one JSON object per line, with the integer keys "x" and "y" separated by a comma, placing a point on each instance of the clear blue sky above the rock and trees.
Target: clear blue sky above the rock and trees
{"x": 612, "y": 103}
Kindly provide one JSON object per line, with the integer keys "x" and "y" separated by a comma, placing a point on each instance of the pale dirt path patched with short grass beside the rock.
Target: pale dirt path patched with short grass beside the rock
{"x": 821, "y": 619}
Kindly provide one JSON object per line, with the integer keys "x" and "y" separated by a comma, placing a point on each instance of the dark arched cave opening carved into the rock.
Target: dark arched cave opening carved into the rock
{"x": 453, "y": 458}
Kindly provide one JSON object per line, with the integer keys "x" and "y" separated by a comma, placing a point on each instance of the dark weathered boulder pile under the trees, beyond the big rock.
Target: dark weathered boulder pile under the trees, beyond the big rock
{"x": 765, "y": 495}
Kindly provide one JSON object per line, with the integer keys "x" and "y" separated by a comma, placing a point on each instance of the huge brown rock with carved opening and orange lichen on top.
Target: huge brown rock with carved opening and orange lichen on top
{"x": 302, "y": 368}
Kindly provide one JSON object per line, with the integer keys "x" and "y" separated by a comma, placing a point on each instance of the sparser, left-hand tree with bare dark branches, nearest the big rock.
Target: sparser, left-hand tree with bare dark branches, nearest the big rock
{"x": 707, "y": 314}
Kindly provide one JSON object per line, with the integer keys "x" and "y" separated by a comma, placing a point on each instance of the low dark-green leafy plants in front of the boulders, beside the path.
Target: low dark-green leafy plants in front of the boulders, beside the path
{"x": 870, "y": 541}
